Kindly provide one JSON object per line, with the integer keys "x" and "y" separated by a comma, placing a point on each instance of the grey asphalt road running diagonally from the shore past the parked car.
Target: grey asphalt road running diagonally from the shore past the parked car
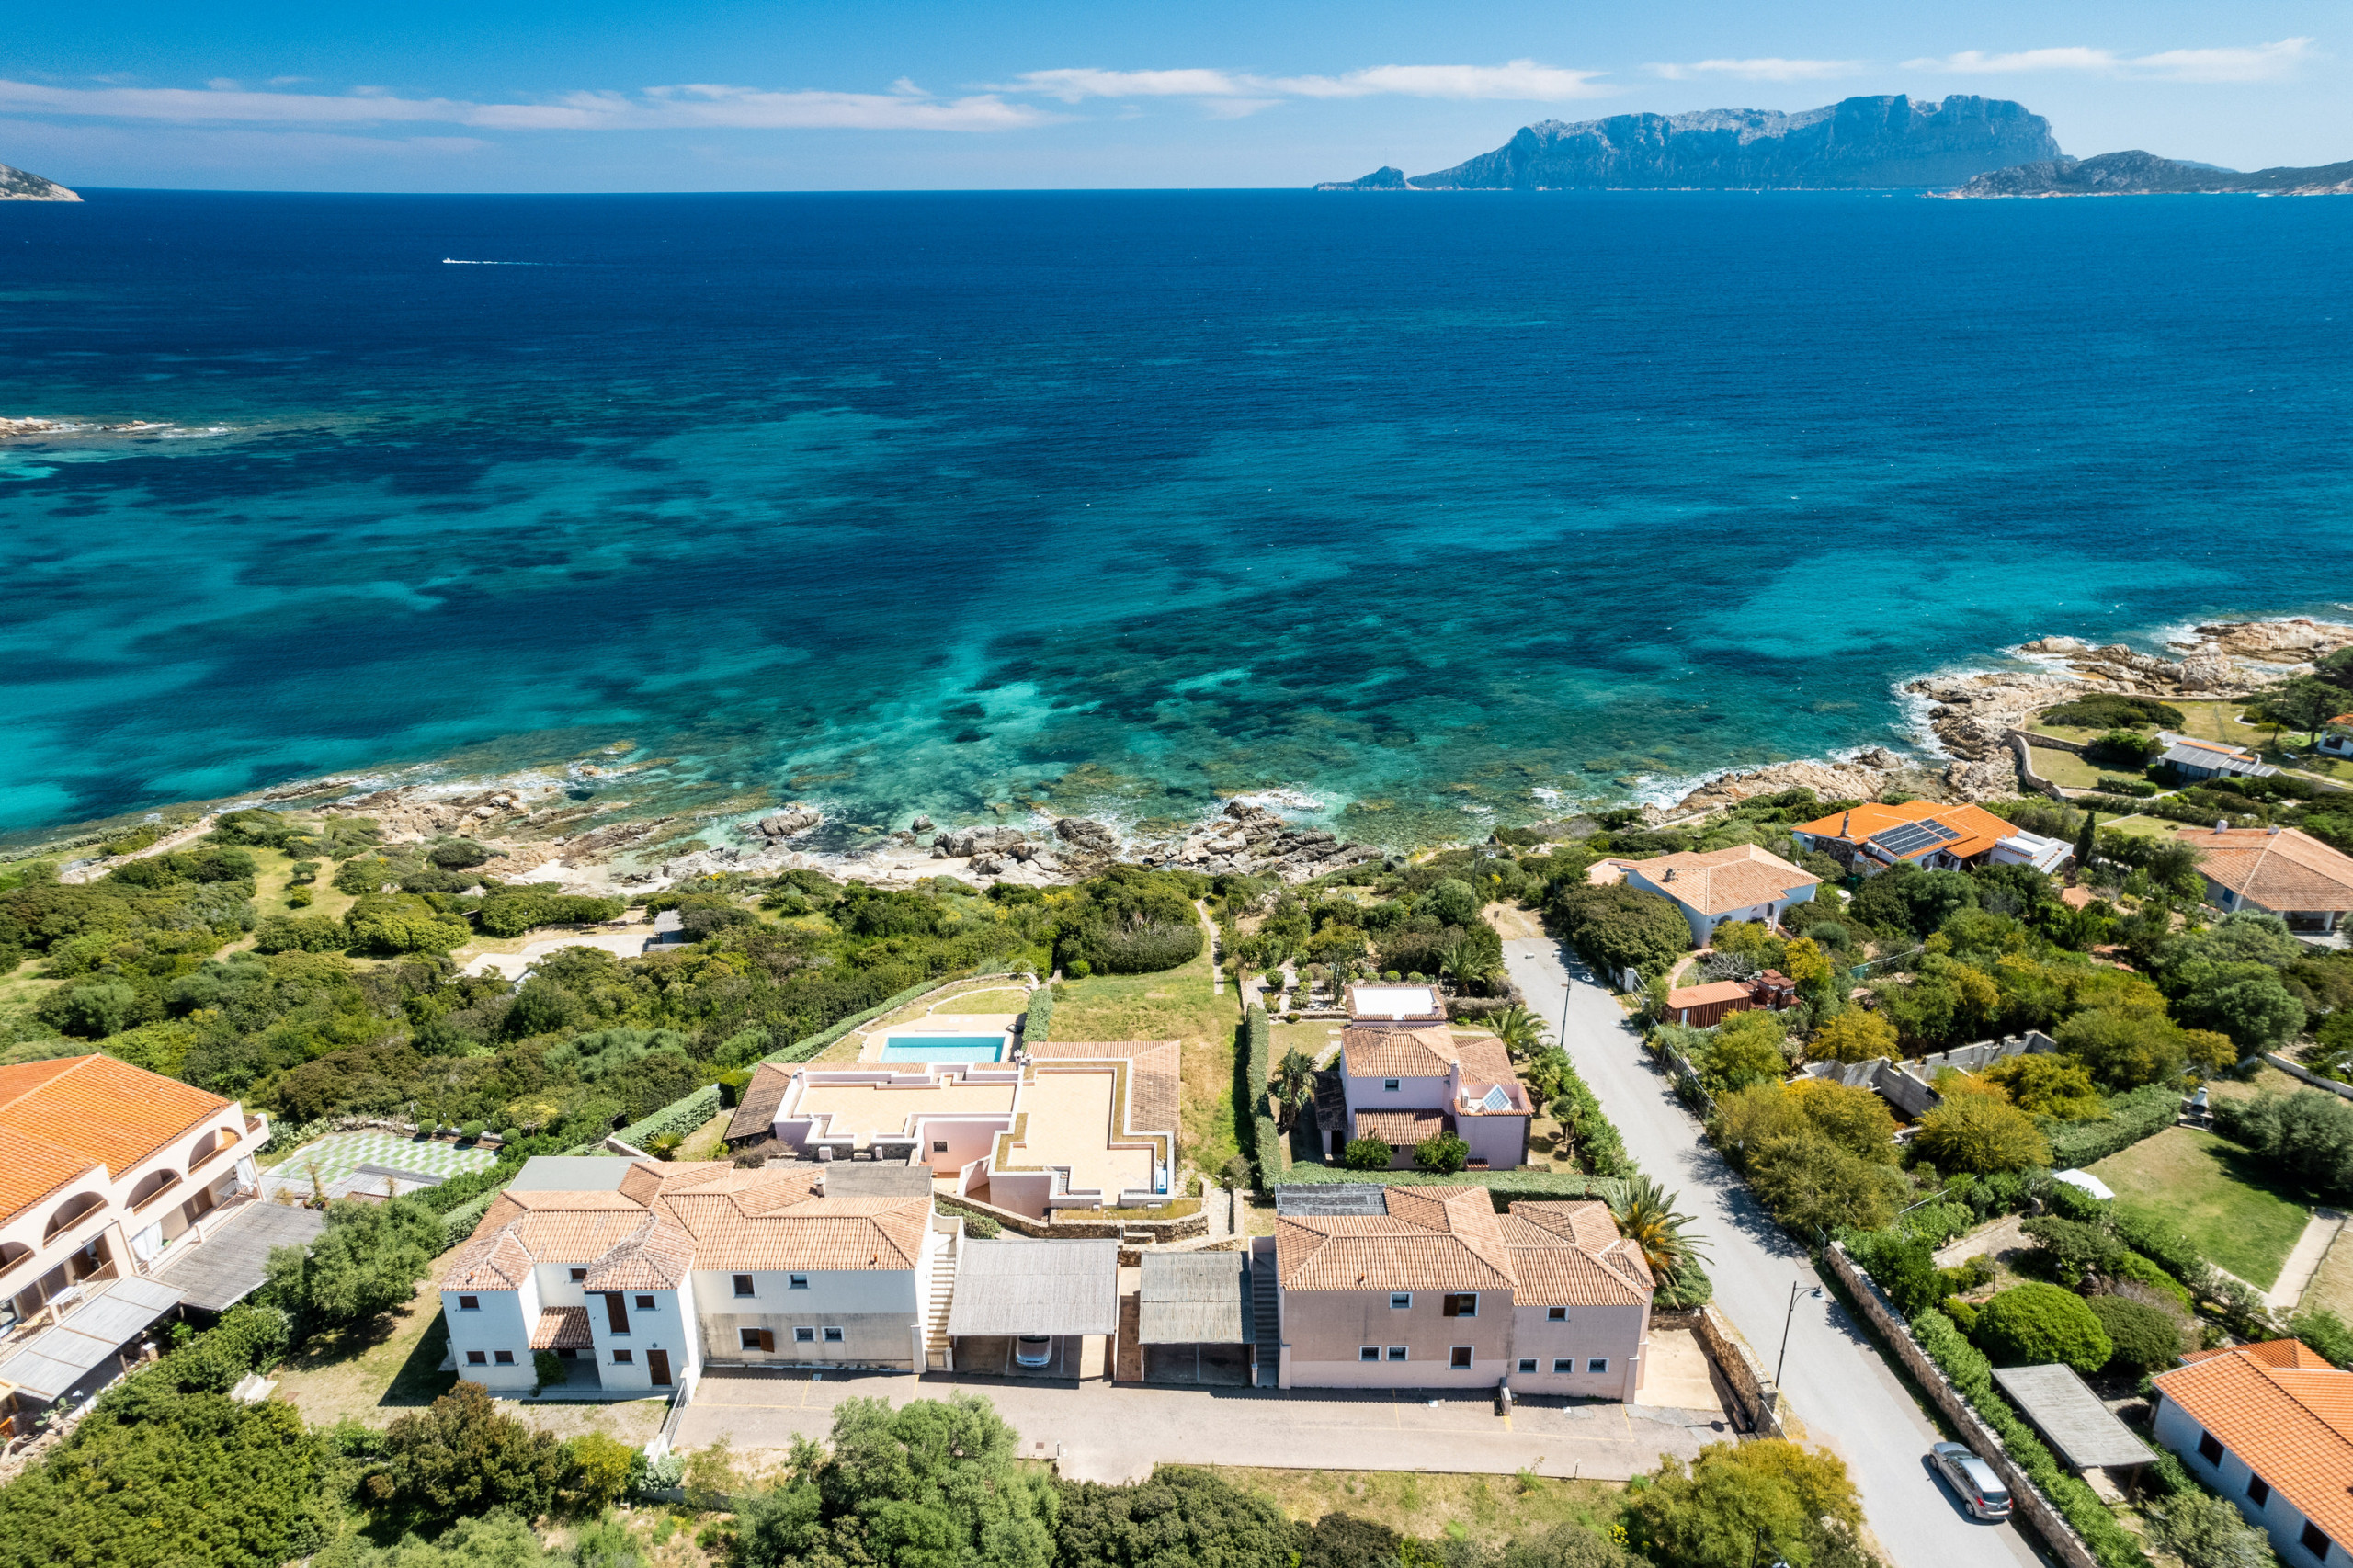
{"x": 1837, "y": 1386}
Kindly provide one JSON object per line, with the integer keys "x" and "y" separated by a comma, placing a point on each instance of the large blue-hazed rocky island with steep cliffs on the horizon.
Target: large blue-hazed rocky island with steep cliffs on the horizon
{"x": 1841, "y": 147}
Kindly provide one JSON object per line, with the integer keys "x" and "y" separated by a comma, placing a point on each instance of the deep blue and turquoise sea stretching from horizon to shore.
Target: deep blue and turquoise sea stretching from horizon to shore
{"x": 1441, "y": 510}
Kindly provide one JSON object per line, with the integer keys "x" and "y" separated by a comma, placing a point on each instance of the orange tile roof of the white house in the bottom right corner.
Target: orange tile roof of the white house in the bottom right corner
{"x": 2288, "y": 1418}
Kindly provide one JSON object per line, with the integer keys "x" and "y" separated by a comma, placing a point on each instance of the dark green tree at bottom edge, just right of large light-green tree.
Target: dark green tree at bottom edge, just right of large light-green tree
{"x": 1175, "y": 1517}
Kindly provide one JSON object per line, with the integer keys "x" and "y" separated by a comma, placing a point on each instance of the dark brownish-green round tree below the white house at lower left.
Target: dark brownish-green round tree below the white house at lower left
{"x": 465, "y": 1456}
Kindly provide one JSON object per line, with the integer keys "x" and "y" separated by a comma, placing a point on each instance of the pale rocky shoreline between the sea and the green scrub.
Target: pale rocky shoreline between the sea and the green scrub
{"x": 542, "y": 832}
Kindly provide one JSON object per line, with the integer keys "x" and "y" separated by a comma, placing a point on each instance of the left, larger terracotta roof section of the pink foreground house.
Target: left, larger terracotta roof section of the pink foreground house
{"x": 1429, "y": 1240}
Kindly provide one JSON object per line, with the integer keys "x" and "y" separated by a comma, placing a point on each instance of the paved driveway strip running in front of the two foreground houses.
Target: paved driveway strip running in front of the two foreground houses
{"x": 1121, "y": 1433}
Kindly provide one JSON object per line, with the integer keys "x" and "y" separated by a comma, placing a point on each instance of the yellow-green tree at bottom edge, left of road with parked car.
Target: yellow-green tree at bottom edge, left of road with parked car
{"x": 1745, "y": 1506}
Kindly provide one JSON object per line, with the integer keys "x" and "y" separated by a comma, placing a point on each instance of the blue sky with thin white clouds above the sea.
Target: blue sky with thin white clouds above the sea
{"x": 728, "y": 95}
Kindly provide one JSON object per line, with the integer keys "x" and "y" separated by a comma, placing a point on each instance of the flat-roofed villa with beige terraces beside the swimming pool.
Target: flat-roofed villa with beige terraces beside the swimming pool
{"x": 1060, "y": 1124}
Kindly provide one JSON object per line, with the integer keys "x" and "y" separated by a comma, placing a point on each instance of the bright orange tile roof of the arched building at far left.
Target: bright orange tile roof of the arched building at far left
{"x": 72, "y": 1115}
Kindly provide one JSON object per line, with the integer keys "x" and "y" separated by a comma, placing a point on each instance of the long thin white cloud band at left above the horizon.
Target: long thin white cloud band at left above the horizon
{"x": 691, "y": 107}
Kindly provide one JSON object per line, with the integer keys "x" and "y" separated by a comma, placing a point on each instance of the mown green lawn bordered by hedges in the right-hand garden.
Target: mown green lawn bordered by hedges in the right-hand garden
{"x": 2215, "y": 1192}
